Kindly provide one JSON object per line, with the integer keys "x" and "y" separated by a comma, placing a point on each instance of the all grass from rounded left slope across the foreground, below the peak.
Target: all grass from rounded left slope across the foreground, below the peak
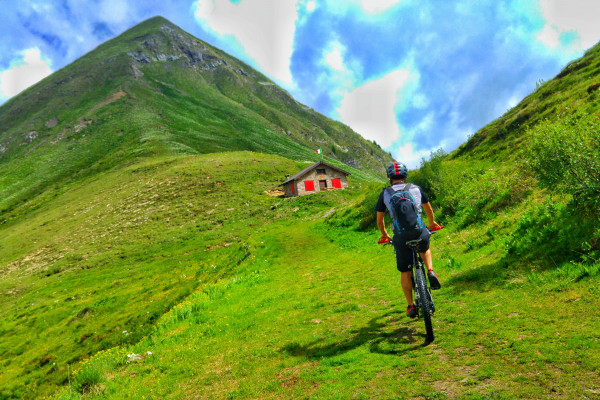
{"x": 221, "y": 291}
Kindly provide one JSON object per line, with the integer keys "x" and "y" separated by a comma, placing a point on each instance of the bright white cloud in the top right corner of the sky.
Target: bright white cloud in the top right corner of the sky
{"x": 580, "y": 16}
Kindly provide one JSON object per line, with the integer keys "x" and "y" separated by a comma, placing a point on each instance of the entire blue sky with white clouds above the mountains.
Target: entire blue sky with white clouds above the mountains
{"x": 413, "y": 75}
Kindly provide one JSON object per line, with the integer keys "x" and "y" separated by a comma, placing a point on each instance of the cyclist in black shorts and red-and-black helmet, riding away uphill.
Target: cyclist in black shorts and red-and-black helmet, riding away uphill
{"x": 397, "y": 173}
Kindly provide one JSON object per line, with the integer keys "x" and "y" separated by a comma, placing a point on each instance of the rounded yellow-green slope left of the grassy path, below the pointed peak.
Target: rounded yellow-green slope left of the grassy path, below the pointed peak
{"x": 113, "y": 254}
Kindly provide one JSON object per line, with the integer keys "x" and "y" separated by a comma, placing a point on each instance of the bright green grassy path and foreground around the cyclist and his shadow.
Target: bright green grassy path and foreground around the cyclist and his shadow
{"x": 329, "y": 323}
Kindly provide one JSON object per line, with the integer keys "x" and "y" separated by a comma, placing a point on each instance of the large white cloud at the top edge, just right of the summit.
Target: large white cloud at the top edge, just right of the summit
{"x": 264, "y": 28}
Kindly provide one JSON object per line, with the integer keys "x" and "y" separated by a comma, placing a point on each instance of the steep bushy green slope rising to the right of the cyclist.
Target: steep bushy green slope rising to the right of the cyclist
{"x": 543, "y": 154}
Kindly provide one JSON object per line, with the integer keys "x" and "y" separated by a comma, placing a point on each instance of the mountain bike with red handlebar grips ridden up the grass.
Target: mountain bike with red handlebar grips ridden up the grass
{"x": 422, "y": 293}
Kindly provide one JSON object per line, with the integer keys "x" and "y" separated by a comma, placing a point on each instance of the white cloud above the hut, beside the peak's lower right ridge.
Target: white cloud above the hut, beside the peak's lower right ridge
{"x": 370, "y": 109}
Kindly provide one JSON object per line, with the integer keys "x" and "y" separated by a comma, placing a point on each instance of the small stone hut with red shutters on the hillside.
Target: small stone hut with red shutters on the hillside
{"x": 316, "y": 178}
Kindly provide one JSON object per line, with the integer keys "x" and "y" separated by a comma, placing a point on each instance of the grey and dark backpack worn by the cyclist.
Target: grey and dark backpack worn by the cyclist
{"x": 406, "y": 219}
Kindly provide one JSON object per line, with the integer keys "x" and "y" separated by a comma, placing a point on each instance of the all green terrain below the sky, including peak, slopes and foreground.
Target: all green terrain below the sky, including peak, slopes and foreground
{"x": 136, "y": 261}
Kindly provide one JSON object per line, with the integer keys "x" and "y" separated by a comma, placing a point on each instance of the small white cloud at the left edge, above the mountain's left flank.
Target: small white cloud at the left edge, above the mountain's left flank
{"x": 24, "y": 73}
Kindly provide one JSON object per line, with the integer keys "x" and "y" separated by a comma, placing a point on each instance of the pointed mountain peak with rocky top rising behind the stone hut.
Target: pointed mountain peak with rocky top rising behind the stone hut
{"x": 156, "y": 90}
